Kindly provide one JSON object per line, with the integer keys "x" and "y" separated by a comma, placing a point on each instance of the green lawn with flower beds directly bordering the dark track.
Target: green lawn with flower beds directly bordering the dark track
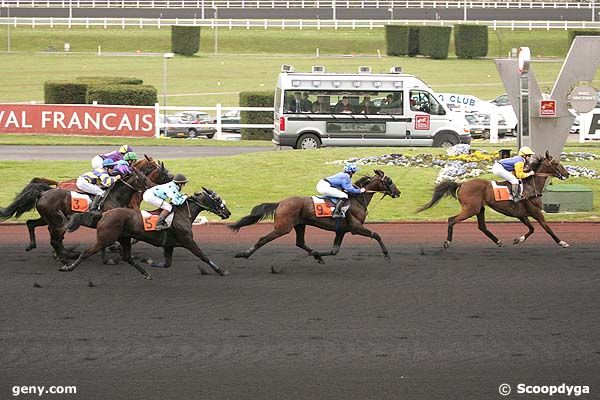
{"x": 249, "y": 179}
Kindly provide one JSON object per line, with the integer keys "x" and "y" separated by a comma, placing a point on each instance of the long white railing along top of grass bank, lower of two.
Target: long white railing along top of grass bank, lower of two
{"x": 141, "y": 23}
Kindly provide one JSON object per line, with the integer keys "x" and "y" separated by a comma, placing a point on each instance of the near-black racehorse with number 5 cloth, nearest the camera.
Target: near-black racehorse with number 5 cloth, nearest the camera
{"x": 123, "y": 224}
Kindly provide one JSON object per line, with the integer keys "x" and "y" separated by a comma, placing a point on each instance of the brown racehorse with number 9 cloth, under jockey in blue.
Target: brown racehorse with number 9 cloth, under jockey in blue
{"x": 297, "y": 212}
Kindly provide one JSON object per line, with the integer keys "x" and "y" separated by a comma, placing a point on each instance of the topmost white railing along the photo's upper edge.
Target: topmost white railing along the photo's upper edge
{"x": 174, "y": 4}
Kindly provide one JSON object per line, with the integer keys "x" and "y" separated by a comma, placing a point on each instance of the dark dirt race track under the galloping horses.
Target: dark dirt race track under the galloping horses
{"x": 428, "y": 325}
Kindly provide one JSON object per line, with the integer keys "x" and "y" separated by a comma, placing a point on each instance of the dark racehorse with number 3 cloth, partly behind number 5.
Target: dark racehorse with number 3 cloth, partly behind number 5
{"x": 54, "y": 206}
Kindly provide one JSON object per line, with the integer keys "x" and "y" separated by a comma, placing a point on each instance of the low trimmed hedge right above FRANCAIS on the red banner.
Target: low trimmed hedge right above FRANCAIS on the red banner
{"x": 129, "y": 95}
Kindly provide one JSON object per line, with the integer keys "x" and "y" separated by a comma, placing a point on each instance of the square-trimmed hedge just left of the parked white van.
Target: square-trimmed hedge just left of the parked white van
{"x": 256, "y": 99}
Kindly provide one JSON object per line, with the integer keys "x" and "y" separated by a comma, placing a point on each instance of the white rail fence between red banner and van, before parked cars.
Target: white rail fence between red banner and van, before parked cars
{"x": 217, "y": 110}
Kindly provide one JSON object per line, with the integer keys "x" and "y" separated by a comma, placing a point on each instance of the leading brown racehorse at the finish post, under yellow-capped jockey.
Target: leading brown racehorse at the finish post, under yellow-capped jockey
{"x": 475, "y": 194}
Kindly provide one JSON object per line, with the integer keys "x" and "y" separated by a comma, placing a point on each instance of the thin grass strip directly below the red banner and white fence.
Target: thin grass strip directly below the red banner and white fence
{"x": 50, "y": 140}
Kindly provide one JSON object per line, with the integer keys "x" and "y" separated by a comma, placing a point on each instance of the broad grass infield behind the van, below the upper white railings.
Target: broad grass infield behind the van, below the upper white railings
{"x": 208, "y": 79}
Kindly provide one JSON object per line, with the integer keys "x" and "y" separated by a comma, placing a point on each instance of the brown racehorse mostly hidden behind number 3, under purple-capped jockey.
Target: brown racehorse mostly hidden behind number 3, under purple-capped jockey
{"x": 155, "y": 171}
